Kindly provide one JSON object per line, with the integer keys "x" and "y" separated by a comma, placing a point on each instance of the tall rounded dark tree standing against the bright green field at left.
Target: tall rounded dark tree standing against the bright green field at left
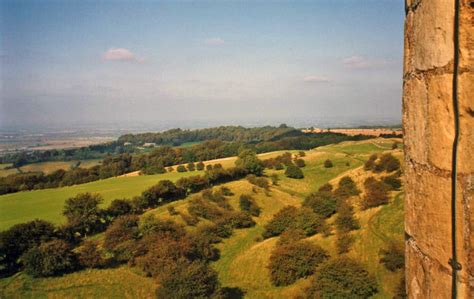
{"x": 83, "y": 213}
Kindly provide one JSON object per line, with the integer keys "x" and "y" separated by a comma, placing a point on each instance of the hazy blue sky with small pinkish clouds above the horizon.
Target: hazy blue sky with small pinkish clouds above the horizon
{"x": 66, "y": 63}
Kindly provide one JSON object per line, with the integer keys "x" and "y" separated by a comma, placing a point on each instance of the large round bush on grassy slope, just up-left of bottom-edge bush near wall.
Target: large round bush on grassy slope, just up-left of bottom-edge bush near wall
{"x": 291, "y": 262}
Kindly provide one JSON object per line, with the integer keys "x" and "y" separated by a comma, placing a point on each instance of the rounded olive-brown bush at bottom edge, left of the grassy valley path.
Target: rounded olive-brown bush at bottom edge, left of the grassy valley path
{"x": 188, "y": 280}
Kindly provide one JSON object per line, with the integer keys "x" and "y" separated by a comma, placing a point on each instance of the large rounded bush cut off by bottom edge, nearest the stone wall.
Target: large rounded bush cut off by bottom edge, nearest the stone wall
{"x": 342, "y": 277}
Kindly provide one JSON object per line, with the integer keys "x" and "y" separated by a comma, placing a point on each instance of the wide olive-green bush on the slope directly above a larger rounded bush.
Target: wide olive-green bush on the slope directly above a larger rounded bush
{"x": 291, "y": 217}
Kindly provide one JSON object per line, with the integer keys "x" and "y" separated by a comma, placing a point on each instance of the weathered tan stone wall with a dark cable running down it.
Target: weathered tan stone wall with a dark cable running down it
{"x": 428, "y": 119}
